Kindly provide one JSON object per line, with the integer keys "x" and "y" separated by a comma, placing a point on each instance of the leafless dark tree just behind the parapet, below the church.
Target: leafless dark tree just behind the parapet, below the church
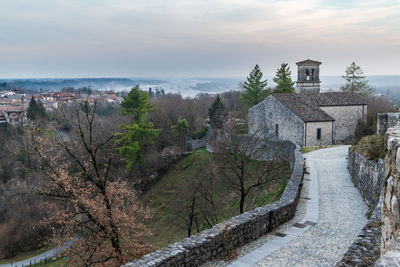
{"x": 245, "y": 162}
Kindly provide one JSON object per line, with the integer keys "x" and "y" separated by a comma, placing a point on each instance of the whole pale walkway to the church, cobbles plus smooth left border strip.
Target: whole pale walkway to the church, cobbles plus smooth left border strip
{"x": 330, "y": 215}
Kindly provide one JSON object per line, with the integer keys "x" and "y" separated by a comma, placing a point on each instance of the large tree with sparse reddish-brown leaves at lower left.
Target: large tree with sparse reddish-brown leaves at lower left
{"x": 81, "y": 196}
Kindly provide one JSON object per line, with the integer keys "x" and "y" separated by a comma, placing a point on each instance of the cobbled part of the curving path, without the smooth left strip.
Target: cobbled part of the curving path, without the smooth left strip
{"x": 341, "y": 215}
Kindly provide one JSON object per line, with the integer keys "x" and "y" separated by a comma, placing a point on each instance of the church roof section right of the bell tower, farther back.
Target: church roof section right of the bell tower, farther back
{"x": 336, "y": 99}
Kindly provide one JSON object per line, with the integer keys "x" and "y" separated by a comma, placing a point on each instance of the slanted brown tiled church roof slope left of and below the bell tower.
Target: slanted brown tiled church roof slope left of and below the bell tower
{"x": 302, "y": 107}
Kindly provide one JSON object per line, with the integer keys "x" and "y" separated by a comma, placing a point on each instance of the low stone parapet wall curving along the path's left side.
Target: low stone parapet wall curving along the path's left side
{"x": 234, "y": 232}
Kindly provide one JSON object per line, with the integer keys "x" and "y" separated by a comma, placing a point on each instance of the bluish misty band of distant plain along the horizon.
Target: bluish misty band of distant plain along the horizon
{"x": 190, "y": 87}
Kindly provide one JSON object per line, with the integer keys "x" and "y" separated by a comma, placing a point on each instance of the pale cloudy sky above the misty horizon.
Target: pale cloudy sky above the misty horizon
{"x": 195, "y": 38}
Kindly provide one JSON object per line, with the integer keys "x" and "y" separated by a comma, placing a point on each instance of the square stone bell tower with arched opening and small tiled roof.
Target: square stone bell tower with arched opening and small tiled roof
{"x": 308, "y": 76}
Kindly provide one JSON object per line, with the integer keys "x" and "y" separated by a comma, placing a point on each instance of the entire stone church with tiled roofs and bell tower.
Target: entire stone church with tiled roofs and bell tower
{"x": 308, "y": 117}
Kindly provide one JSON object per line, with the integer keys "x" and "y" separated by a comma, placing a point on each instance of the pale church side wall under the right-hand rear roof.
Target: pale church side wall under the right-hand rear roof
{"x": 346, "y": 118}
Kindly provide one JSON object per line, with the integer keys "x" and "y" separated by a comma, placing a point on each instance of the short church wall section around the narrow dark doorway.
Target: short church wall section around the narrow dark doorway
{"x": 326, "y": 133}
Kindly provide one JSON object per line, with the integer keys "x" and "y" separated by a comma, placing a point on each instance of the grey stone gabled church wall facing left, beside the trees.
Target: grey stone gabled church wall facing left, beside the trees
{"x": 271, "y": 112}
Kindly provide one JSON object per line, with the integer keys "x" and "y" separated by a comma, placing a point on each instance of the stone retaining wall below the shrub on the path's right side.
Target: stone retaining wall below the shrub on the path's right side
{"x": 367, "y": 176}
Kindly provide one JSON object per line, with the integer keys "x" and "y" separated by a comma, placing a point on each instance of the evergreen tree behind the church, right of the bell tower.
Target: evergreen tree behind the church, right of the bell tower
{"x": 356, "y": 82}
